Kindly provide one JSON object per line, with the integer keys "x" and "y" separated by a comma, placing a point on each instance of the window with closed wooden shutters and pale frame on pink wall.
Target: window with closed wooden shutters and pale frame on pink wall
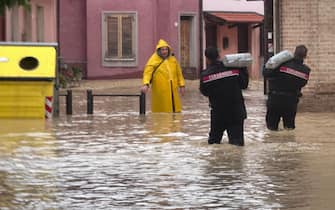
{"x": 119, "y": 44}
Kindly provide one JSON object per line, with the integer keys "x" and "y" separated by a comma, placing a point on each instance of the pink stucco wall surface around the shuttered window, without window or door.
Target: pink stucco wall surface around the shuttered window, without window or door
{"x": 156, "y": 19}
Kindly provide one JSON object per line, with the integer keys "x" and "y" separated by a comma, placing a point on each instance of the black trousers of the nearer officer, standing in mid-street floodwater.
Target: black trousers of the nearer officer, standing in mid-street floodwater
{"x": 235, "y": 130}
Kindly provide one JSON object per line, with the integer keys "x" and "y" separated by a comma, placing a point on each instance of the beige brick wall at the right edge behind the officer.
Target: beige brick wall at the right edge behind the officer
{"x": 311, "y": 22}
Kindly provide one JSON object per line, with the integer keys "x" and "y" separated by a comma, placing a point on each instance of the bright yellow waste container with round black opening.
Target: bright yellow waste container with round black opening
{"x": 27, "y": 76}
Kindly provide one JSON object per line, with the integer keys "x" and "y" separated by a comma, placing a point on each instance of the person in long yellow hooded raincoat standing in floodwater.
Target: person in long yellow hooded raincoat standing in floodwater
{"x": 164, "y": 74}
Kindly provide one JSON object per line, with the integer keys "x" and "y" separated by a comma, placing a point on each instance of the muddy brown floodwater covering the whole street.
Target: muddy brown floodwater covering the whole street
{"x": 117, "y": 159}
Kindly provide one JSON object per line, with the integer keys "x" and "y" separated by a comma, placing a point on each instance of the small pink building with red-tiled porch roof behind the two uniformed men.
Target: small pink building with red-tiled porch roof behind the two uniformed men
{"x": 235, "y": 26}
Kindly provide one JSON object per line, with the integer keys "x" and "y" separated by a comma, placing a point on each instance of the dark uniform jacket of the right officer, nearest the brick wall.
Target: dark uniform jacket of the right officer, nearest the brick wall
{"x": 288, "y": 78}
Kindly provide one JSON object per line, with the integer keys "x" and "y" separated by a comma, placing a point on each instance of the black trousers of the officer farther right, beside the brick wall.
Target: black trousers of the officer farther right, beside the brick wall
{"x": 281, "y": 106}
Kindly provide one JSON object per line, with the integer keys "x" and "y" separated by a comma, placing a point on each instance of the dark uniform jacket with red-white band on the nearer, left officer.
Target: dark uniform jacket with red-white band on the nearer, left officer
{"x": 222, "y": 85}
